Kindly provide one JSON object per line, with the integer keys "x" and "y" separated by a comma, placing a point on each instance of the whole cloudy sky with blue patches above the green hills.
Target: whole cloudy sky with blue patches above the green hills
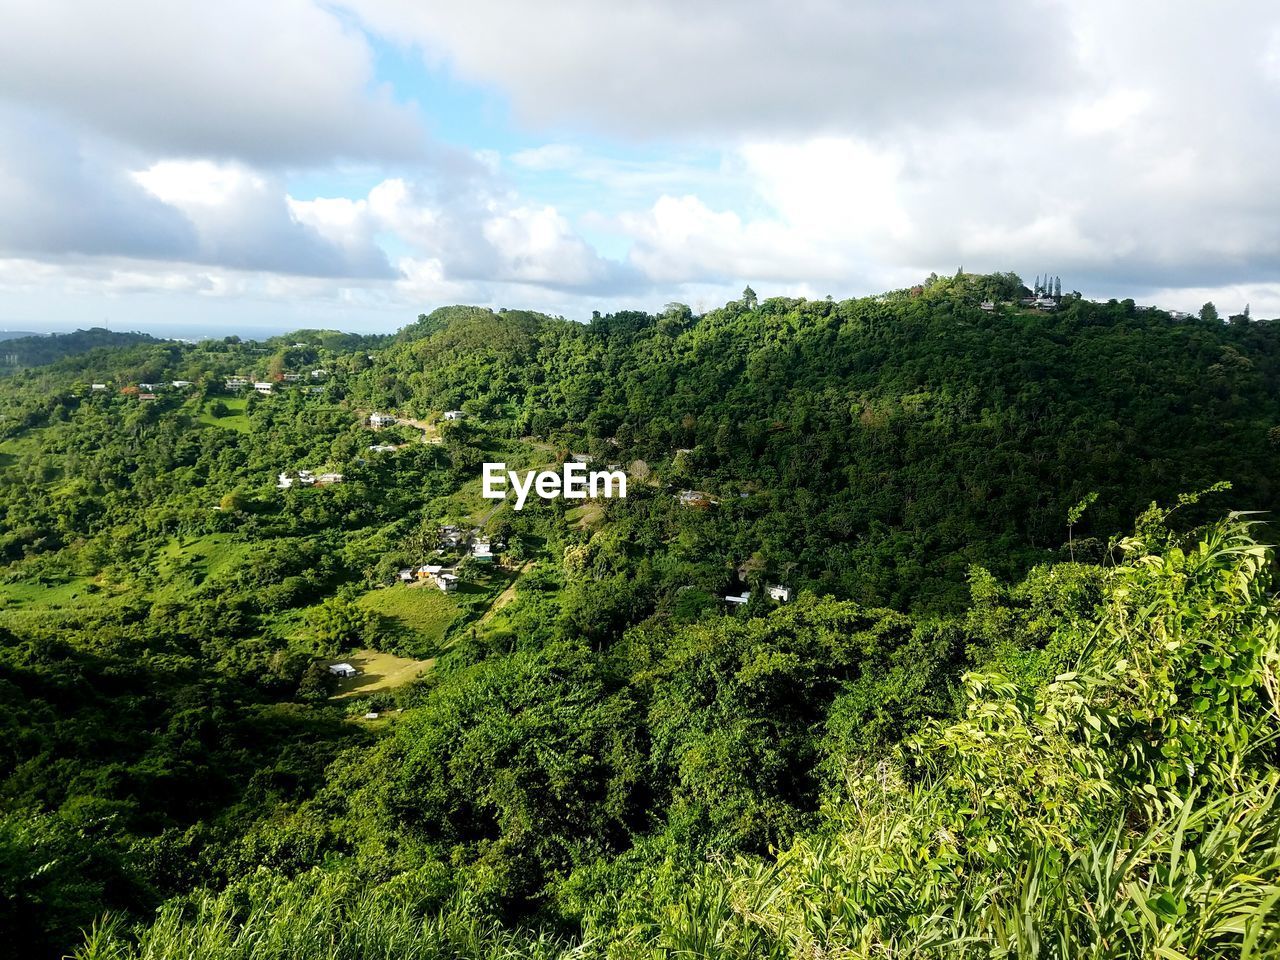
{"x": 263, "y": 166}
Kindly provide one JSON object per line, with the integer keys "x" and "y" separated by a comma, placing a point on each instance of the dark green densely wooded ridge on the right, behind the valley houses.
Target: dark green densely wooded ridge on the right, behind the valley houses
{"x": 902, "y": 438}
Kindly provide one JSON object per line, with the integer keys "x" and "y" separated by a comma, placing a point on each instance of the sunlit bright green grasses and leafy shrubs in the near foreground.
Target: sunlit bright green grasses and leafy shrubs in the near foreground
{"x": 1128, "y": 807}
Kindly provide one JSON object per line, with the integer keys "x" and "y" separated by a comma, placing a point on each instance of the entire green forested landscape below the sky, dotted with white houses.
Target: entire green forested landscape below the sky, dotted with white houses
{"x": 889, "y": 595}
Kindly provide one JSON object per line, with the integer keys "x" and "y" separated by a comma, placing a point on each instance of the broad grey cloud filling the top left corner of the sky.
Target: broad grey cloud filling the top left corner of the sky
{"x": 285, "y": 81}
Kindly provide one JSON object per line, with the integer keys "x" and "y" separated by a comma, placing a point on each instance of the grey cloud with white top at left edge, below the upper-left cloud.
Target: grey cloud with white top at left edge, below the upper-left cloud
{"x": 66, "y": 196}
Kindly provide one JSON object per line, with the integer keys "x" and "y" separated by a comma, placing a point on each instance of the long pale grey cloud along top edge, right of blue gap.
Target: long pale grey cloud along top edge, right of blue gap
{"x": 756, "y": 67}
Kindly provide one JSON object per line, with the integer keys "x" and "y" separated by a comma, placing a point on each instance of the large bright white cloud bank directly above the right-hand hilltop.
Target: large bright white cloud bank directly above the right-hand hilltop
{"x": 1153, "y": 175}
